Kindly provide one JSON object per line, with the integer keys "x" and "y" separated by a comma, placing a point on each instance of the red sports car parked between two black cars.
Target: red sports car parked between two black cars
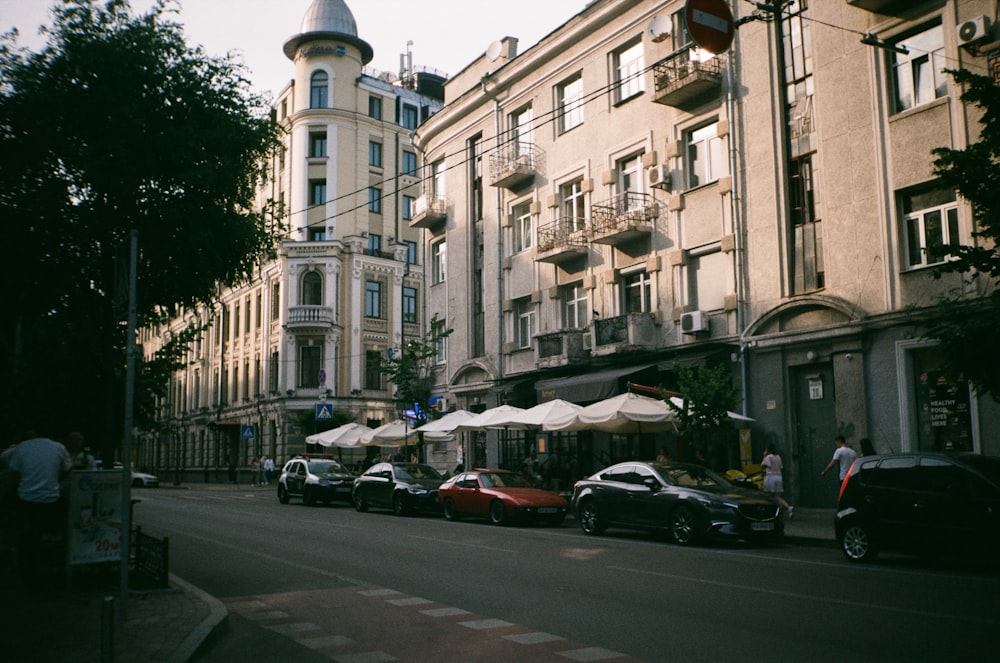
{"x": 500, "y": 495}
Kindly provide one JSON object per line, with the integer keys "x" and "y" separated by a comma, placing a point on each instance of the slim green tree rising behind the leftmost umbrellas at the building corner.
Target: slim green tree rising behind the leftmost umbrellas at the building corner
{"x": 413, "y": 368}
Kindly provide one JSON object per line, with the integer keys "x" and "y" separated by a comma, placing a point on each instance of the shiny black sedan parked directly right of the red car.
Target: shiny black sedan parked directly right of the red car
{"x": 690, "y": 502}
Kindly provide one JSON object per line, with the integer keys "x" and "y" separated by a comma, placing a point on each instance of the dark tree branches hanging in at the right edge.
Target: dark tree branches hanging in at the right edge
{"x": 966, "y": 327}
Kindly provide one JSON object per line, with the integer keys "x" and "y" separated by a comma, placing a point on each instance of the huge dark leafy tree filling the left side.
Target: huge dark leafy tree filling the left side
{"x": 115, "y": 125}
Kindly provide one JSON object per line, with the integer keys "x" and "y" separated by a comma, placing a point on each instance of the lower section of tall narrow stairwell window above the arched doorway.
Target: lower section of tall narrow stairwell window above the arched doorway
{"x": 807, "y": 231}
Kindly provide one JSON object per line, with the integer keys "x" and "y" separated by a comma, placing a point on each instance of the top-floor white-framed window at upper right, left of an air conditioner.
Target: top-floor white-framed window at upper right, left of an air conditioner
{"x": 918, "y": 76}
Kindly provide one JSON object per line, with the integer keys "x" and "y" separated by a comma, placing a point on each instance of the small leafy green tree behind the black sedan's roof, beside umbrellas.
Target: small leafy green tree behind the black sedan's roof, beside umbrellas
{"x": 708, "y": 395}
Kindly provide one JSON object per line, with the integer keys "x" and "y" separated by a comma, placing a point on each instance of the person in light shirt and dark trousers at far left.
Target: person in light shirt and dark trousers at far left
{"x": 39, "y": 466}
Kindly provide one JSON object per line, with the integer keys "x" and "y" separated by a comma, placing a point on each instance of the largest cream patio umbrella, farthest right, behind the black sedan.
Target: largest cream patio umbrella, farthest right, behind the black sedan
{"x": 625, "y": 413}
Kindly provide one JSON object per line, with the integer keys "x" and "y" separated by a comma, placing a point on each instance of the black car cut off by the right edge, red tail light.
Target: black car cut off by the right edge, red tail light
{"x": 924, "y": 503}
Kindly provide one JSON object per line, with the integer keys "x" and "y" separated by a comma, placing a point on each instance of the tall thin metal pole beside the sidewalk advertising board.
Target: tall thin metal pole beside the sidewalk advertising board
{"x": 126, "y": 506}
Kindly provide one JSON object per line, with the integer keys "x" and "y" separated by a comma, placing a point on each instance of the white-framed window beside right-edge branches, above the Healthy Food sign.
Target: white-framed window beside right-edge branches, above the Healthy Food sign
{"x": 930, "y": 224}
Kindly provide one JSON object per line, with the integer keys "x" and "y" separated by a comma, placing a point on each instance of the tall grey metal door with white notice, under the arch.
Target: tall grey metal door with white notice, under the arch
{"x": 815, "y": 426}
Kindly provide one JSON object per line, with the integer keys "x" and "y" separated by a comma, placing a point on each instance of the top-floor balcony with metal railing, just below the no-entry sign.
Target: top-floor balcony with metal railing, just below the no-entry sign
{"x": 685, "y": 80}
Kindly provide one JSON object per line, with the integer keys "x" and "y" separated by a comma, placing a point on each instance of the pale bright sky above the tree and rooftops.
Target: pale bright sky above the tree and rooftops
{"x": 446, "y": 34}
